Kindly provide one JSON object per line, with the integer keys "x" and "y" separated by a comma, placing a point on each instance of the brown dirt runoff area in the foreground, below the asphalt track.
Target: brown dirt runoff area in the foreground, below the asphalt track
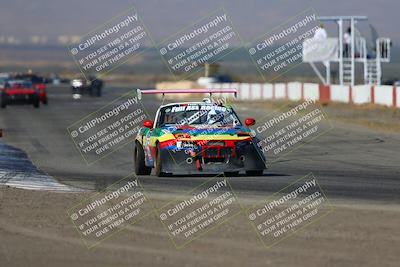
{"x": 35, "y": 231}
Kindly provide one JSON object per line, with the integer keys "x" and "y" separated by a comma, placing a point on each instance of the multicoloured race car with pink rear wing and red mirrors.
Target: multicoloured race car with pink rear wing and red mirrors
{"x": 195, "y": 138}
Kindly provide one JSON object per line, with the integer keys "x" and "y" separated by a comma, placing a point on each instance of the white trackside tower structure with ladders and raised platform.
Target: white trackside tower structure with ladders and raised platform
{"x": 356, "y": 53}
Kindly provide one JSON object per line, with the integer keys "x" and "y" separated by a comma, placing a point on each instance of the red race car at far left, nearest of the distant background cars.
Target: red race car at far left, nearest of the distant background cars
{"x": 19, "y": 91}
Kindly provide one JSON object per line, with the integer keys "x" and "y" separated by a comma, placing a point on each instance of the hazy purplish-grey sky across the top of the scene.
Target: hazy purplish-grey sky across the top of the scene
{"x": 165, "y": 17}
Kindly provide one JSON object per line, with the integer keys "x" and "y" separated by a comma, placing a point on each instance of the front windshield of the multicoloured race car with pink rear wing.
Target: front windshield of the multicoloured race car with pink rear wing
{"x": 198, "y": 115}
